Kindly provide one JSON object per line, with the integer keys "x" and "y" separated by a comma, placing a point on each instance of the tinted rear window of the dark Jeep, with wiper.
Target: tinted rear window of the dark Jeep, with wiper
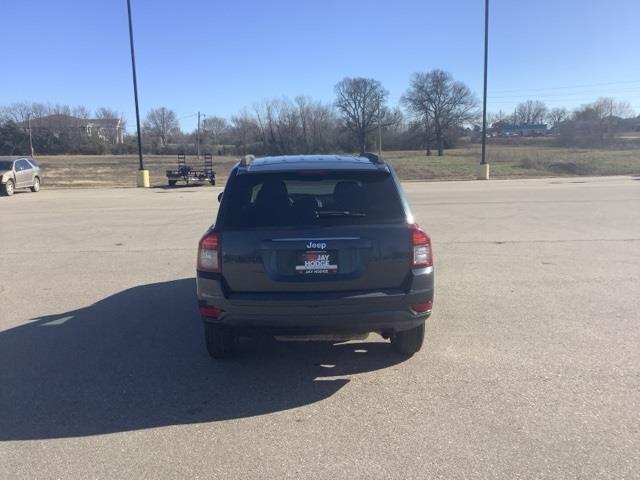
{"x": 312, "y": 198}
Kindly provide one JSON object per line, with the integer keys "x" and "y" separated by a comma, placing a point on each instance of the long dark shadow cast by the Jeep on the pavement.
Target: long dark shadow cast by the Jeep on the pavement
{"x": 137, "y": 360}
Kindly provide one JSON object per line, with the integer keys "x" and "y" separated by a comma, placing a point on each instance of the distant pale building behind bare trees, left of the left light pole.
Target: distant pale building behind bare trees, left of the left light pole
{"x": 109, "y": 130}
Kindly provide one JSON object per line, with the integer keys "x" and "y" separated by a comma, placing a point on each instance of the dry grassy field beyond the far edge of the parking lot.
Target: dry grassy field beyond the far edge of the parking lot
{"x": 507, "y": 161}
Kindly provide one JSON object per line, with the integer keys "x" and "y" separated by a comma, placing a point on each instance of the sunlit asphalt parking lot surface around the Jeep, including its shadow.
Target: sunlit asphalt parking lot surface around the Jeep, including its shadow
{"x": 531, "y": 367}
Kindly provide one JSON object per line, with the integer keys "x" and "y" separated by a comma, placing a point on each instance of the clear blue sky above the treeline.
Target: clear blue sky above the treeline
{"x": 218, "y": 57}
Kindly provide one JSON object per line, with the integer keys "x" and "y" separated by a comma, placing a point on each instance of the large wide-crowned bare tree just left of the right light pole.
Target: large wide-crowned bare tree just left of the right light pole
{"x": 441, "y": 103}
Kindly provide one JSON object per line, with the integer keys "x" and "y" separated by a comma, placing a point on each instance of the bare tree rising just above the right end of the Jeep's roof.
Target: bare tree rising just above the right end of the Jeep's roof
{"x": 361, "y": 102}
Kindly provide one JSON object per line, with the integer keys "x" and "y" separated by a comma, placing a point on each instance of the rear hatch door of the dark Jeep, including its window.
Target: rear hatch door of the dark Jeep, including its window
{"x": 321, "y": 232}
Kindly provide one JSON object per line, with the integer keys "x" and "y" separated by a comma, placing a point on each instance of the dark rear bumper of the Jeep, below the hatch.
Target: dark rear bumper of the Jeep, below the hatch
{"x": 308, "y": 313}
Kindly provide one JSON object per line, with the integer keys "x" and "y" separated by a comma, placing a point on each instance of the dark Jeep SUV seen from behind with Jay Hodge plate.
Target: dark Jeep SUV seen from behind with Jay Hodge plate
{"x": 314, "y": 245}
